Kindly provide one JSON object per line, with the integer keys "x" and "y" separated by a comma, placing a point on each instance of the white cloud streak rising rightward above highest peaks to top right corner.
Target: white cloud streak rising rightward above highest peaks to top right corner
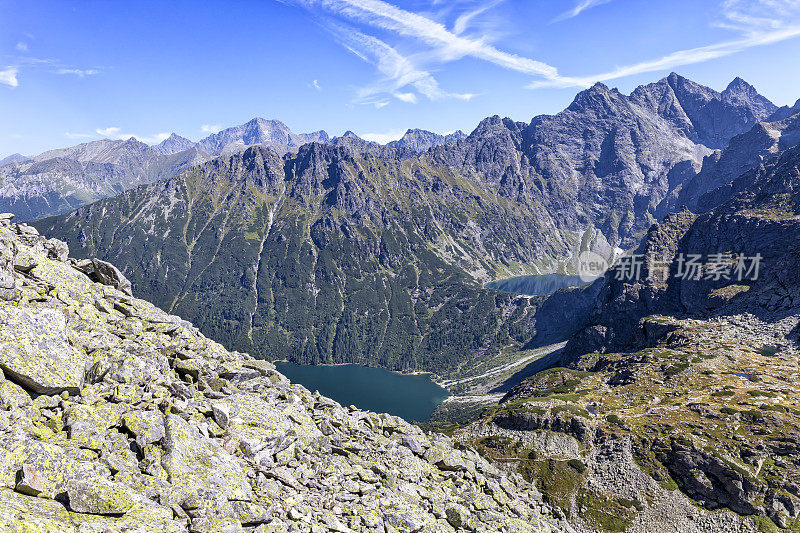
{"x": 758, "y": 23}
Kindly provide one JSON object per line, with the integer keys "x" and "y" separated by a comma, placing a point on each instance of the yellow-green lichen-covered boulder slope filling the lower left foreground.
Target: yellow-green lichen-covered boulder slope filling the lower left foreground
{"x": 117, "y": 416}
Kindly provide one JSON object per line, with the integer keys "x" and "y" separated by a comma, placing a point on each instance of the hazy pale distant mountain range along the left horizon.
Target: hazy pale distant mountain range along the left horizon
{"x": 60, "y": 180}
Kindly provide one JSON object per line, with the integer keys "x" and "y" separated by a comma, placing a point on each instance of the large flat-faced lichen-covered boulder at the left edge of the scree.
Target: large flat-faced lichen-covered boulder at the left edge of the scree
{"x": 35, "y": 351}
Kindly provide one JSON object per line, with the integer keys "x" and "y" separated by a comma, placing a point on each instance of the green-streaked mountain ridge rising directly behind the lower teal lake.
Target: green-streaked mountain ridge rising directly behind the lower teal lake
{"x": 308, "y": 259}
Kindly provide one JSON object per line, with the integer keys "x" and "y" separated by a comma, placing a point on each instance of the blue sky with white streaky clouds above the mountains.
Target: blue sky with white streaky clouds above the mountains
{"x": 73, "y": 71}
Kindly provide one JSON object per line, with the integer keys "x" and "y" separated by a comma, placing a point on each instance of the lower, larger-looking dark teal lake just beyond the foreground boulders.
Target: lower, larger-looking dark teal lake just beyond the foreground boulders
{"x": 411, "y": 397}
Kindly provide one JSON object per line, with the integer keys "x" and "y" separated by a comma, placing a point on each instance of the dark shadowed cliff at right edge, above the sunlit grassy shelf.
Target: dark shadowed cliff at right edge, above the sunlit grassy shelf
{"x": 759, "y": 218}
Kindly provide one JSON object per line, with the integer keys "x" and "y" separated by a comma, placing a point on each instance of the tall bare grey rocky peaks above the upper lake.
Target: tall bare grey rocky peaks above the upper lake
{"x": 608, "y": 160}
